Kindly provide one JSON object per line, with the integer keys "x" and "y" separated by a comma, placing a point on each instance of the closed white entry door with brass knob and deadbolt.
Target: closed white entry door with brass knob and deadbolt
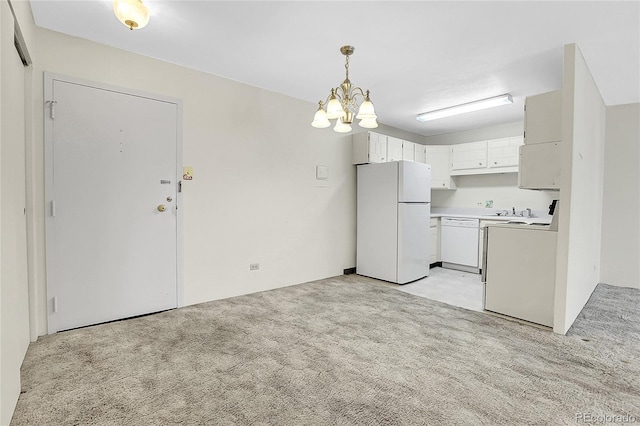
{"x": 112, "y": 160}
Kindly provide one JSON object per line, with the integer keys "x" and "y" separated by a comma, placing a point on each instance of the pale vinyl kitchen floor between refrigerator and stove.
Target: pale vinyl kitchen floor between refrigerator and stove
{"x": 456, "y": 288}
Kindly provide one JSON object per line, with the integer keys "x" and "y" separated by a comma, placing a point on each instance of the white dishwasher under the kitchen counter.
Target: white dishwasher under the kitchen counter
{"x": 459, "y": 243}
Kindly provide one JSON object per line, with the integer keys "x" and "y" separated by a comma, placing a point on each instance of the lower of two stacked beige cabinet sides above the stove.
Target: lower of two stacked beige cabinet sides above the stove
{"x": 540, "y": 166}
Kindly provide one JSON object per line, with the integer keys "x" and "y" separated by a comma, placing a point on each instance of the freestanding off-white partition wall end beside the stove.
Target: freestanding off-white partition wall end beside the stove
{"x": 579, "y": 230}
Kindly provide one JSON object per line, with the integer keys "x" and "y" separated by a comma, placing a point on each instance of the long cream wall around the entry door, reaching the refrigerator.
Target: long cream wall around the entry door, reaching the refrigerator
{"x": 254, "y": 197}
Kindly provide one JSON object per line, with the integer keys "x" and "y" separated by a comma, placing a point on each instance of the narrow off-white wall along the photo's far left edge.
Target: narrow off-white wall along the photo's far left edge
{"x": 14, "y": 118}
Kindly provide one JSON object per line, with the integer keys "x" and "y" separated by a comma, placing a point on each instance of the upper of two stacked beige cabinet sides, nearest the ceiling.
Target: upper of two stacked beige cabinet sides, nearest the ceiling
{"x": 543, "y": 118}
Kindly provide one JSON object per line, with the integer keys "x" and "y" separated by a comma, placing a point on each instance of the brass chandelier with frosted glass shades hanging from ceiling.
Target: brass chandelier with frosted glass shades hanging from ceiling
{"x": 342, "y": 104}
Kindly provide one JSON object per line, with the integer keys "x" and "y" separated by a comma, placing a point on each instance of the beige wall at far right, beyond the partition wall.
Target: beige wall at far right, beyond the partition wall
{"x": 621, "y": 198}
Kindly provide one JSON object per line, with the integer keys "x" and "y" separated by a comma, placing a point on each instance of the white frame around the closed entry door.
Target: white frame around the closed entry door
{"x": 49, "y": 78}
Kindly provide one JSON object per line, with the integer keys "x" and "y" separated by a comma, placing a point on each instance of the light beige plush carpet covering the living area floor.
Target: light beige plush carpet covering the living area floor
{"x": 339, "y": 351}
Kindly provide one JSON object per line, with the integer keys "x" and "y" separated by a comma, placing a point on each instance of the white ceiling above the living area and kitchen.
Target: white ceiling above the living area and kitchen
{"x": 414, "y": 56}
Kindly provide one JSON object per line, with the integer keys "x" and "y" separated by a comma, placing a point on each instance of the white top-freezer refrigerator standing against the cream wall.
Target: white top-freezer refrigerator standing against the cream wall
{"x": 393, "y": 215}
